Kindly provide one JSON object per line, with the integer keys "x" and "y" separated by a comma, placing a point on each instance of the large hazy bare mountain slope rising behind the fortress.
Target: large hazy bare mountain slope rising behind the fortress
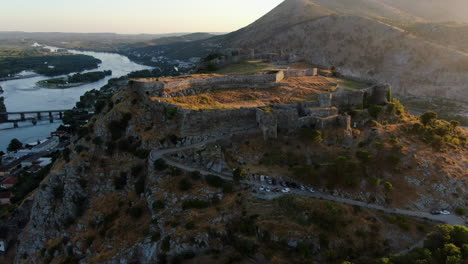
{"x": 346, "y": 34}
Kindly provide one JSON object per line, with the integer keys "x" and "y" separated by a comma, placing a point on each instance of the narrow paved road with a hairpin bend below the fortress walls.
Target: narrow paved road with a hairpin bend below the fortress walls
{"x": 160, "y": 154}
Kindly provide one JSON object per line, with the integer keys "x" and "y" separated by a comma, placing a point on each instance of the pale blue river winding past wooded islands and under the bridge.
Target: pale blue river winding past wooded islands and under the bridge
{"x": 24, "y": 95}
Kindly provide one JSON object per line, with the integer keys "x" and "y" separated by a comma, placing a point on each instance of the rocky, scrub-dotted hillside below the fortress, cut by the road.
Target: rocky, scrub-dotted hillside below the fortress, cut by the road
{"x": 109, "y": 201}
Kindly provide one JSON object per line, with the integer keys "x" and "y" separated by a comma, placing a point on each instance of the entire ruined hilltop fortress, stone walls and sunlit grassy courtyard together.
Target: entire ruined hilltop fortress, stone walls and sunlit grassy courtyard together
{"x": 312, "y": 101}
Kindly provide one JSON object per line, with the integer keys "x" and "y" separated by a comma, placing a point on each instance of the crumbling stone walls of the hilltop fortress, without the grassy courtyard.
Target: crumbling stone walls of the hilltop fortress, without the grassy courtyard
{"x": 321, "y": 114}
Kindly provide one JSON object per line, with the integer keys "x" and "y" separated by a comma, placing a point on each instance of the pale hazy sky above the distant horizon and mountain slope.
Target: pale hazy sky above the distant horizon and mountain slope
{"x": 131, "y": 16}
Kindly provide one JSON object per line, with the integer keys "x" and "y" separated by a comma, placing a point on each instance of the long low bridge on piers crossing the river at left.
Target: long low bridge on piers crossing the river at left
{"x": 33, "y": 116}
